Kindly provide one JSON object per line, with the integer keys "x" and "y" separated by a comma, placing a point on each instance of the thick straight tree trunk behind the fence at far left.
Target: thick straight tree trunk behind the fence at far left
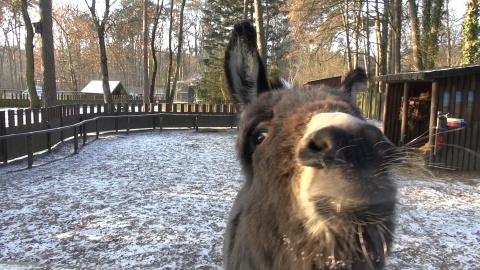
{"x": 49, "y": 79}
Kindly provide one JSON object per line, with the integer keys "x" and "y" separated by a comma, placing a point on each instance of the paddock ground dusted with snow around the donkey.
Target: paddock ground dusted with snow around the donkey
{"x": 160, "y": 200}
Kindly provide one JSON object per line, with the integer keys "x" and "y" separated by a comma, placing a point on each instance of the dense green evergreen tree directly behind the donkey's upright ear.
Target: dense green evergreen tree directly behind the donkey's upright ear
{"x": 218, "y": 20}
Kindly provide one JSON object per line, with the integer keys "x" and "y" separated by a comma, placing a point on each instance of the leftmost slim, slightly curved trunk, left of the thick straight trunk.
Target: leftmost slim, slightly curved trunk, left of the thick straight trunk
{"x": 30, "y": 66}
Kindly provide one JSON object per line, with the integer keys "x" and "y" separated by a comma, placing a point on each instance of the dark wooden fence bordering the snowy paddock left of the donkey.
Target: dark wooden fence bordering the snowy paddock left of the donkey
{"x": 24, "y": 132}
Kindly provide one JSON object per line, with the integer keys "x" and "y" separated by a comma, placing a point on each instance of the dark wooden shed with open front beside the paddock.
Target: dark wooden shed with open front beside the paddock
{"x": 415, "y": 100}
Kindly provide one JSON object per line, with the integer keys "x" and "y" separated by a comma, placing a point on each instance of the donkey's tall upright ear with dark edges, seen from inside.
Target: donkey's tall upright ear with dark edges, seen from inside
{"x": 244, "y": 69}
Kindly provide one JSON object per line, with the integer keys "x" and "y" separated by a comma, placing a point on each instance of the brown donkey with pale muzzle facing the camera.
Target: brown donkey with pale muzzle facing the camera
{"x": 317, "y": 191}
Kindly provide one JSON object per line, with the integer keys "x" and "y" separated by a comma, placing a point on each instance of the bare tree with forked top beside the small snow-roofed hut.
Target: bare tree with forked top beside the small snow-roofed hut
{"x": 100, "y": 26}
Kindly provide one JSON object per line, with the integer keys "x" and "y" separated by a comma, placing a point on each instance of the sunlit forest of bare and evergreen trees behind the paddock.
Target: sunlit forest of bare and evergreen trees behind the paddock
{"x": 184, "y": 41}
